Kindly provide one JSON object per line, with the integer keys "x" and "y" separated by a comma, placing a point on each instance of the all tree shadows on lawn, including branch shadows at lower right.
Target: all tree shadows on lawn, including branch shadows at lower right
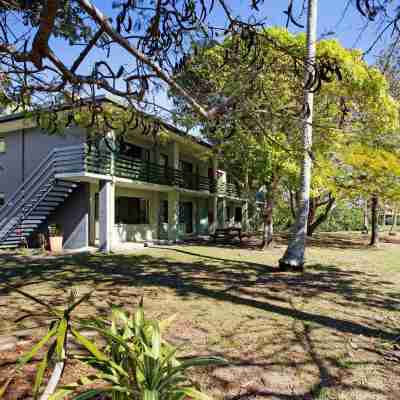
{"x": 225, "y": 280}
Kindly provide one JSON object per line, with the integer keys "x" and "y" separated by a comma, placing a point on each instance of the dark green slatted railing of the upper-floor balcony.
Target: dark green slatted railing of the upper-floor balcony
{"x": 84, "y": 159}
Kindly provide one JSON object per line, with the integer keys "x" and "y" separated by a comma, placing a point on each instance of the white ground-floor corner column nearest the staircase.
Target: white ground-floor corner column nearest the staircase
{"x": 106, "y": 215}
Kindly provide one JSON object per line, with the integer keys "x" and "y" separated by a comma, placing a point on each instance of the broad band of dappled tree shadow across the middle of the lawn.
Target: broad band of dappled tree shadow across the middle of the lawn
{"x": 236, "y": 282}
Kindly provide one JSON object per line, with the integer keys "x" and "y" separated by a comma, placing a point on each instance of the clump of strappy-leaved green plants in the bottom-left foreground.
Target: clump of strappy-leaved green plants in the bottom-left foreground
{"x": 135, "y": 362}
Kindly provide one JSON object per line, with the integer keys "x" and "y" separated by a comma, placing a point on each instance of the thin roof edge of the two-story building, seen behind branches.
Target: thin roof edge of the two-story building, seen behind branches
{"x": 117, "y": 101}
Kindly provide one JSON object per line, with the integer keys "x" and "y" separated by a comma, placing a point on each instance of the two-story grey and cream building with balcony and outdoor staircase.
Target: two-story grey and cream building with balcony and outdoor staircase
{"x": 143, "y": 191}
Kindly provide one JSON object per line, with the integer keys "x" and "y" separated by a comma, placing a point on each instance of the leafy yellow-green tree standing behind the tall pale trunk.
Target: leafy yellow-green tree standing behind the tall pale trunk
{"x": 344, "y": 109}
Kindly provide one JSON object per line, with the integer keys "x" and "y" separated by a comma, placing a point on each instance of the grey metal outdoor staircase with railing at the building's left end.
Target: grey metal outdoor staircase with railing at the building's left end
{"x": 38, "y": 197}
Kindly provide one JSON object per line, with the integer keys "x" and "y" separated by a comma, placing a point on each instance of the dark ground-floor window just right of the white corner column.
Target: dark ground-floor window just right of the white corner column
{"x": 131, "y": 211}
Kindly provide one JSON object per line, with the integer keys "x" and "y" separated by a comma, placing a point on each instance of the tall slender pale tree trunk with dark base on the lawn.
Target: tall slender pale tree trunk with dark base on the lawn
{"x": 294, "y": 255}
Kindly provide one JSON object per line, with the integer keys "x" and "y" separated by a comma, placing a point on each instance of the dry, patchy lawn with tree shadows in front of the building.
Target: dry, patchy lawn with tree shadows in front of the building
{"x": 329, "y": 333}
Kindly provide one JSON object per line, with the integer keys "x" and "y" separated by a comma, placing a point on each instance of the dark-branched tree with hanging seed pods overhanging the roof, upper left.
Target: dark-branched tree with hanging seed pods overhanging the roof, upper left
{"x": 156, "y": 36}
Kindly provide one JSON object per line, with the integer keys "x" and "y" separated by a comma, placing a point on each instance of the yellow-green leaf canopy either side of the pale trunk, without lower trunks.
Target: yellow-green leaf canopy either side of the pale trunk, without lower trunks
{"x": 353, "y": 117}
